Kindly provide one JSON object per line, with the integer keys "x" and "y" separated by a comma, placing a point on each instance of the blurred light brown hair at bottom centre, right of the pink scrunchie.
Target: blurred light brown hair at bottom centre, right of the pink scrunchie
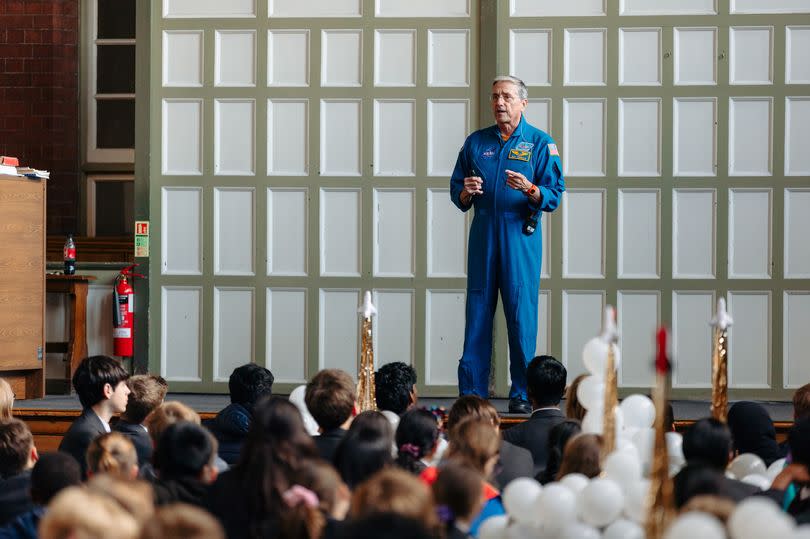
{"x": 392, "y": 490}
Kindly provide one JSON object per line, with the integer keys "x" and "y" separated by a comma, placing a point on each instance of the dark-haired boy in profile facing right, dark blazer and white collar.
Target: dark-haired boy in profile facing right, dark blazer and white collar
{"x": 100, "y": 383}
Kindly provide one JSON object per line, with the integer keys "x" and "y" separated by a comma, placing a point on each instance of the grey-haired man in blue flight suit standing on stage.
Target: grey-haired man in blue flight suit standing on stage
{"x": 510, "y": 172}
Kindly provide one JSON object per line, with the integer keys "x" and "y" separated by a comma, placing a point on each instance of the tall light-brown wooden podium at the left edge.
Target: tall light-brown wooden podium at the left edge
{"x": 22, "y": 285}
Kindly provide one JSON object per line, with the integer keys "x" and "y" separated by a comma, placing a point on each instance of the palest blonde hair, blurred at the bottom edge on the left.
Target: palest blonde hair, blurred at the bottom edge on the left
{"x": 78, "y": 513}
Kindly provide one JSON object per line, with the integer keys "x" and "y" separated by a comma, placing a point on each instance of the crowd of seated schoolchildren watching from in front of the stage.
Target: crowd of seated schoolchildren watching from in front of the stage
{"x": 347, "y": 481}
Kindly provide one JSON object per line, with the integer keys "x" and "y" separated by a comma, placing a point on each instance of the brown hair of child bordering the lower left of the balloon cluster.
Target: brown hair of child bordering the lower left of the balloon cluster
{"x": 457, "y": 491}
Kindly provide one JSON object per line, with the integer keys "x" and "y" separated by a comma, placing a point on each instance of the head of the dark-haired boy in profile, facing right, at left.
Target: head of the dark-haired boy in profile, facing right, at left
{"x": 99, "y": 378}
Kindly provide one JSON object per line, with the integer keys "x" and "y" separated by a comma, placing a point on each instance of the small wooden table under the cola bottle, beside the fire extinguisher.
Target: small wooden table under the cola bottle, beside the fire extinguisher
{"x": 75, "y": 286}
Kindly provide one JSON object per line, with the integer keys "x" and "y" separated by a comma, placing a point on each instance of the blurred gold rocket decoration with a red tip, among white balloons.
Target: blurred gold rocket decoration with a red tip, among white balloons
{"x": 660, "y": 498}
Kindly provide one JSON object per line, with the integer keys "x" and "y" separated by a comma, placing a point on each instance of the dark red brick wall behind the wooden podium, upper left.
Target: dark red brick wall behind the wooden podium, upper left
{"x": 39, "y": 97}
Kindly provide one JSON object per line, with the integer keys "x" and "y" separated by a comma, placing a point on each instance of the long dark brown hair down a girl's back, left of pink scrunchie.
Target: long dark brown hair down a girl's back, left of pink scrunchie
{"x": 276, "y": 445}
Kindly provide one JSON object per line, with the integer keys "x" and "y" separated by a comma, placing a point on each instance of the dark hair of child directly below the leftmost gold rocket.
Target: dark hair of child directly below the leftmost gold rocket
{"x": 365, "y": 449}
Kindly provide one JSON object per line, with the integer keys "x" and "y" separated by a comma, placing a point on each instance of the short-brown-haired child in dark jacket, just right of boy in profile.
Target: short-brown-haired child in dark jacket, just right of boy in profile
{"x": 146, "y": 392}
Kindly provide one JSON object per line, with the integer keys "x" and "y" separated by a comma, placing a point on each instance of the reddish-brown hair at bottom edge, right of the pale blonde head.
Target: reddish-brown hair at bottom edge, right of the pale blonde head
{"x": 182, "y": 520}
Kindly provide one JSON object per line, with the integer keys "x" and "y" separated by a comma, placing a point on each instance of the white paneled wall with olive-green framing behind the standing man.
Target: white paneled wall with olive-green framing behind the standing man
{"x": 683, "y": 140}
